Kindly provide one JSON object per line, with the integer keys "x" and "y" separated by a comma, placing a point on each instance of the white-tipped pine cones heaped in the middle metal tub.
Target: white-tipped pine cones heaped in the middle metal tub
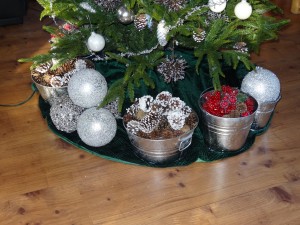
{"x": 163, "y": 117}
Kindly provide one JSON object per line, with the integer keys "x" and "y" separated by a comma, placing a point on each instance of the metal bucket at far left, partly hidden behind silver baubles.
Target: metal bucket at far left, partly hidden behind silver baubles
{"x": 50, "y": 93}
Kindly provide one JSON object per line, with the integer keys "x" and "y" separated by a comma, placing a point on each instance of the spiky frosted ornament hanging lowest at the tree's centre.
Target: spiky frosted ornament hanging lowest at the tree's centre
{"x": 172, "y": 69}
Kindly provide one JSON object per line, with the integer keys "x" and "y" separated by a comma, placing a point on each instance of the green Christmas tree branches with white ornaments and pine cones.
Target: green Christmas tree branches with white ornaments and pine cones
{"x": 144, "y": 34}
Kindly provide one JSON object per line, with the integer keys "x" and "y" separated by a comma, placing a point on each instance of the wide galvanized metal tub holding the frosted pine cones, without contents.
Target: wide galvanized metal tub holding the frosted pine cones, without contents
{"x": 161, "y": 150}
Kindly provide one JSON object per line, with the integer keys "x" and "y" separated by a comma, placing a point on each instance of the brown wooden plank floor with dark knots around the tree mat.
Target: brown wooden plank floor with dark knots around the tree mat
{"x": 45, "y": 181}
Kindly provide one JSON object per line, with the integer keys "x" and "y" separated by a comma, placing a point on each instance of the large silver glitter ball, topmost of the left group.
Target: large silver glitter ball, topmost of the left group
{"x": 87, "y": 88}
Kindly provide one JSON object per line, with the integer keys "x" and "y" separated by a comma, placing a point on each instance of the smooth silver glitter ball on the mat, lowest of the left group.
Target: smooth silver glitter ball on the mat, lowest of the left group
{"x": 96, "y": 127}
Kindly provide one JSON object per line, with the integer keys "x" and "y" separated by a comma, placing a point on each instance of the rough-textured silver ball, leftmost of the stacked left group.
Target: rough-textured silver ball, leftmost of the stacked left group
{"x": 64, "y": 114}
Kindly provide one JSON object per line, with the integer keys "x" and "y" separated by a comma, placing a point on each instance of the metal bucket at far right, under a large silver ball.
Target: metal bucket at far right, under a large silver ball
{"x": 263, "y": 113}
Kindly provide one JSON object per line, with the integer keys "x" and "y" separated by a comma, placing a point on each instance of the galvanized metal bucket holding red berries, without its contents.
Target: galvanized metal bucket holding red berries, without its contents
{"x": 224, "y": 134}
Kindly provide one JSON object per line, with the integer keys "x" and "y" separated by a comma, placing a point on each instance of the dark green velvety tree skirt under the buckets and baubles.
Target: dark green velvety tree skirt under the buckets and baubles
{"x": 188, "y": 89}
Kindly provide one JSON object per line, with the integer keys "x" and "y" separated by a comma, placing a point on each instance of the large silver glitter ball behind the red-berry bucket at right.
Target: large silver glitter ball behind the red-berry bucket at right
{"x": 262, "y": 84}
